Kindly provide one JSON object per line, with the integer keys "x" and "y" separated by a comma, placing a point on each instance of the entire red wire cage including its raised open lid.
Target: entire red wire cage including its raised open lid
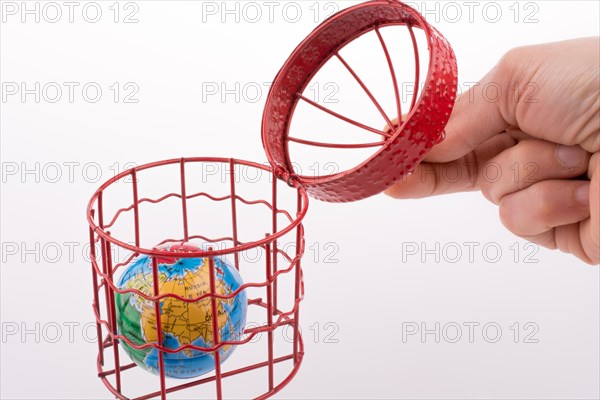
{"x": 397, "y": 152}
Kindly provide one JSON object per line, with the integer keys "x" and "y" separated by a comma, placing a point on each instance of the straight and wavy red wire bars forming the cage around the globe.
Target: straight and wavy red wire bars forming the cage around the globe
{"x": 103, "y": 273}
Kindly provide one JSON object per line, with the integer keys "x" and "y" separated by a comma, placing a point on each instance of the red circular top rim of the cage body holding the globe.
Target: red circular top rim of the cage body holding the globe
{"x": 93, "y": 205}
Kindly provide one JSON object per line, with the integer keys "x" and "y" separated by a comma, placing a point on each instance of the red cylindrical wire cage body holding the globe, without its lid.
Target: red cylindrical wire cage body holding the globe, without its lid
{"x": 278, "y": 262}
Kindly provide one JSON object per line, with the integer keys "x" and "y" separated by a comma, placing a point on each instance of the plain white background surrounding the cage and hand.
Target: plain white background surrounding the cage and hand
{"x": 170, "y": 54}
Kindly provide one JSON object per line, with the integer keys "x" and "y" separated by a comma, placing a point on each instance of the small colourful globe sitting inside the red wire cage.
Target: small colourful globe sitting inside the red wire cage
{"x": 182, "y": 323}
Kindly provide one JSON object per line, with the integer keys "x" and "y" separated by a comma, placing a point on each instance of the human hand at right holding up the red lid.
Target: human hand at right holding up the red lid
{"x": 528, "y": 151}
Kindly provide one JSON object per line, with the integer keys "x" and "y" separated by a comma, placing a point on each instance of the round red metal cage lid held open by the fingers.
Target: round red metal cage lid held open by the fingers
{"x": 401, "y": 149}
